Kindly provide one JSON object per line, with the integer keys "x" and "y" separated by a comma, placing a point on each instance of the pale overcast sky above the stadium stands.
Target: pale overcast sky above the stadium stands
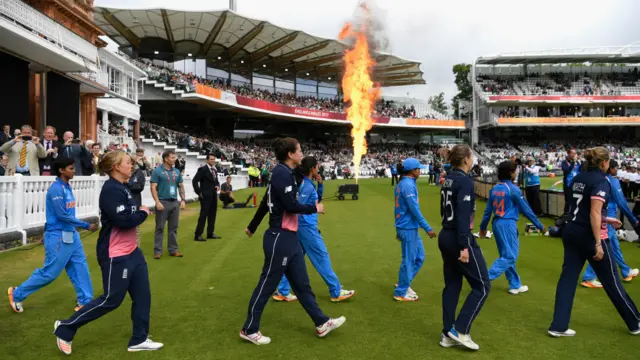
{"x": 440, "y": 34}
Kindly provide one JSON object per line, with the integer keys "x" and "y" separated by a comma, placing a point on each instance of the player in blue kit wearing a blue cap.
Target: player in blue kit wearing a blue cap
{"x": 408, "y": 220}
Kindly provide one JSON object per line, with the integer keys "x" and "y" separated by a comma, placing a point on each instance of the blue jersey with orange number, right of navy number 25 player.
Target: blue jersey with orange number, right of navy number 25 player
{"x": 505, "y": 202}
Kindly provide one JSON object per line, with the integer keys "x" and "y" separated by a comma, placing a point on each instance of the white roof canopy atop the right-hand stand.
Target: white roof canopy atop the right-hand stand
{"x": 629, "y": 54}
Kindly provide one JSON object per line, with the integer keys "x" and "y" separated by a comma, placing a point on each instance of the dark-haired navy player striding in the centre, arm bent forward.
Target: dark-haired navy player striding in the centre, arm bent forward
{"x": 282, "y": 249}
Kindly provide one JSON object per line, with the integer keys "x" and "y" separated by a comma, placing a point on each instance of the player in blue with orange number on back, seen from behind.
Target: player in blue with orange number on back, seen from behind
{"x": 505, "y": 202}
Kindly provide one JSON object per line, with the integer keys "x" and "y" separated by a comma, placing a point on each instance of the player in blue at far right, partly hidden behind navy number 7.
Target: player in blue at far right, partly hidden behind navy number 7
{"x": 617, "y": 200}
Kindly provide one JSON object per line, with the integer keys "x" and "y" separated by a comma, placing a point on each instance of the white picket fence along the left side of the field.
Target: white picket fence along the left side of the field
{"x": 22, "y": 201}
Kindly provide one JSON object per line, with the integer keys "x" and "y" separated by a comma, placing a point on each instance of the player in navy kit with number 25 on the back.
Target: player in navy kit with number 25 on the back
{"x": 461, "y": 255}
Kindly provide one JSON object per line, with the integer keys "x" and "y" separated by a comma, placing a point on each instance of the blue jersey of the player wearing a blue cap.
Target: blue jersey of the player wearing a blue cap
{"x": 407, "y": 206}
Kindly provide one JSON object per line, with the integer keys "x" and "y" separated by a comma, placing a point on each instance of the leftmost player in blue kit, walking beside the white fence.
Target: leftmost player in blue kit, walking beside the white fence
{"x": 62, "y": 246}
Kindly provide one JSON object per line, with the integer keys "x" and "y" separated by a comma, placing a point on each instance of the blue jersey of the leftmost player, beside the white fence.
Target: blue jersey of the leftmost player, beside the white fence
{"x": 61, "y": 208}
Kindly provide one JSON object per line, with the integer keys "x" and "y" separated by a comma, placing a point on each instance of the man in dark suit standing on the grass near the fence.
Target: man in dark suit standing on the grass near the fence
{"x": 206, "y": 185}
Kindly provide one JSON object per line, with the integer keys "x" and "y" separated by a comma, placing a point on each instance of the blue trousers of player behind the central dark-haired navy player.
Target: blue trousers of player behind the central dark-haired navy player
{"x": 314, "y": 247}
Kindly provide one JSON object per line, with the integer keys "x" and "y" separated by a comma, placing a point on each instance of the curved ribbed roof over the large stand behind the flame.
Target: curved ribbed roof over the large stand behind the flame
{"x": 230, "y": 41}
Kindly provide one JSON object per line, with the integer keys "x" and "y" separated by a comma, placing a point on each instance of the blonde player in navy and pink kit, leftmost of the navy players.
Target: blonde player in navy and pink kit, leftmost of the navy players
{"x": 124, "y": 268}
